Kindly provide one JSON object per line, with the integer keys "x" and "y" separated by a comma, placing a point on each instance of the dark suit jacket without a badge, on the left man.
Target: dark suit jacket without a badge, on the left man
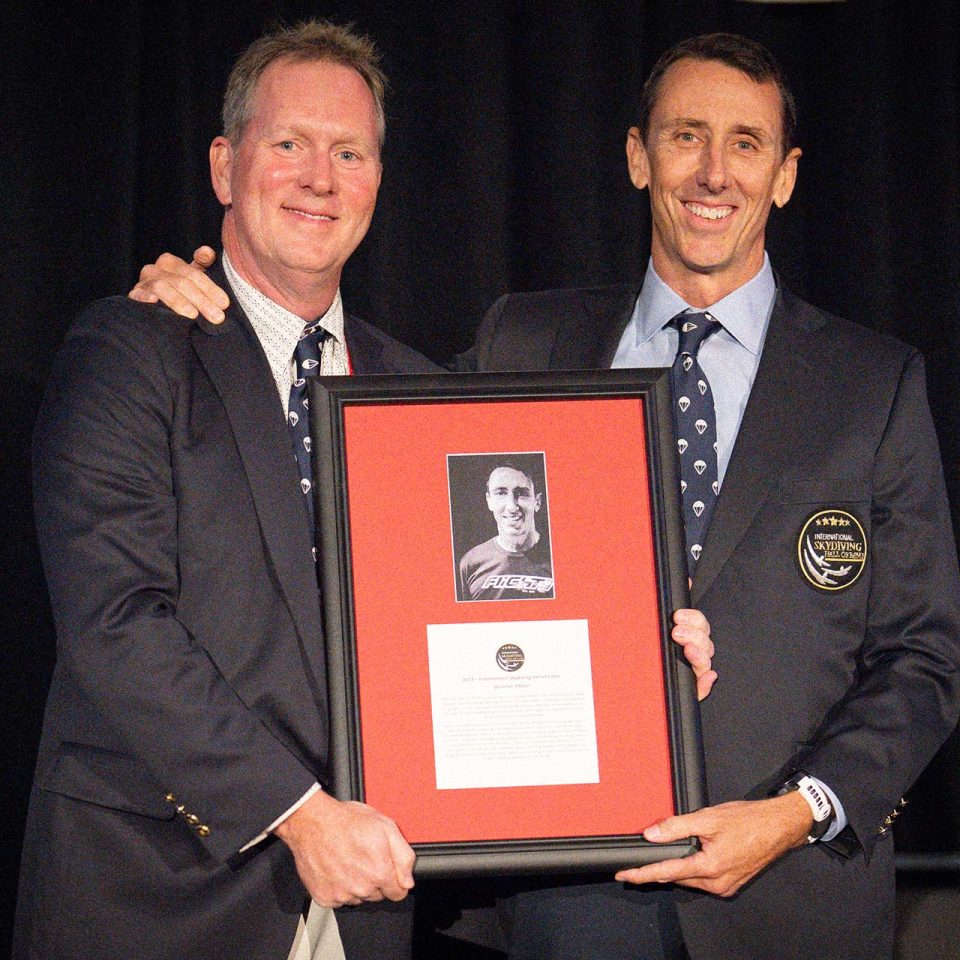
{"x": 188, "y": 705}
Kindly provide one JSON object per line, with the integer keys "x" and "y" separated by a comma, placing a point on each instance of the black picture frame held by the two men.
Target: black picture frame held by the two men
{"x": 330, "y": 399}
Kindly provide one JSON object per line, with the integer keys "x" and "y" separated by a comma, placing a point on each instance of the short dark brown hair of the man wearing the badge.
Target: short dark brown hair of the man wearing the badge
{"x": 747, "y": 56}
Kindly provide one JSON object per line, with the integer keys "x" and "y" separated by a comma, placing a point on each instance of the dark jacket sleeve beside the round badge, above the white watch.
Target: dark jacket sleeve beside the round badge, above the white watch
{"x": 905, "y": 700}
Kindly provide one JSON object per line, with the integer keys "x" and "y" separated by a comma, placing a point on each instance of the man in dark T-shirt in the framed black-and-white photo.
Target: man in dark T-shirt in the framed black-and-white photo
{"x": 515, "y": 564}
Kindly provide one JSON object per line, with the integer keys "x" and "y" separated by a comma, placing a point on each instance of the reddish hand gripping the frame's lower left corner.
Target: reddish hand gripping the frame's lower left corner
{"x": 347, "y": 852}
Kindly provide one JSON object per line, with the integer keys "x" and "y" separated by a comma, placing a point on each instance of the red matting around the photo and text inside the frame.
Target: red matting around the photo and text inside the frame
{"x": 603, "y": 564}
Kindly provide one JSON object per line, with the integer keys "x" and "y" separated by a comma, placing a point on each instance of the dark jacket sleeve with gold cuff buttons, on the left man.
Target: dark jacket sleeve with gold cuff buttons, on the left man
{"x": 142, "y": 690}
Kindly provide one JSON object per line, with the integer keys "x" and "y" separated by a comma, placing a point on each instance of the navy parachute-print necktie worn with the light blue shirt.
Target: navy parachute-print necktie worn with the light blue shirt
{"x": 696, "y": 425}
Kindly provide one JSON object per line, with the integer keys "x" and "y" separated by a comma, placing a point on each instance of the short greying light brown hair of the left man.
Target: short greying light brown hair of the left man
{"x": 312, "y": 40}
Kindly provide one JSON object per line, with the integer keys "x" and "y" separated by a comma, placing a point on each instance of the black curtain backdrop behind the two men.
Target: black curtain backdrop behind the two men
{"x": 504, "y": 170}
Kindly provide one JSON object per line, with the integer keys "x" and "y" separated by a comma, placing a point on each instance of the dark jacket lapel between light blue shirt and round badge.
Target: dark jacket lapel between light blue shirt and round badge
{"x": 774, "y": 413}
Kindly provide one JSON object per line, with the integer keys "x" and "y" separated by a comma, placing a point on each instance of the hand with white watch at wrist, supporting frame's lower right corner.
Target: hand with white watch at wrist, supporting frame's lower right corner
{"x": 738, "y": 841}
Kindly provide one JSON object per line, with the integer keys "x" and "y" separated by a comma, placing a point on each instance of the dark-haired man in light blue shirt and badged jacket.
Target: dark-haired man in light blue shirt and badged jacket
{"x": 820, "y": 551}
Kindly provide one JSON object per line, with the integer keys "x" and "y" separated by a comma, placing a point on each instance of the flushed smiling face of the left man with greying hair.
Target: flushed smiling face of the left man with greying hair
{"x": 301, "y": 185}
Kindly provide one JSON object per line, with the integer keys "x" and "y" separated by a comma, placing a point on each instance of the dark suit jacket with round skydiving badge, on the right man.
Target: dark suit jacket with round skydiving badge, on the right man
{"x": 858, "y": 686}
